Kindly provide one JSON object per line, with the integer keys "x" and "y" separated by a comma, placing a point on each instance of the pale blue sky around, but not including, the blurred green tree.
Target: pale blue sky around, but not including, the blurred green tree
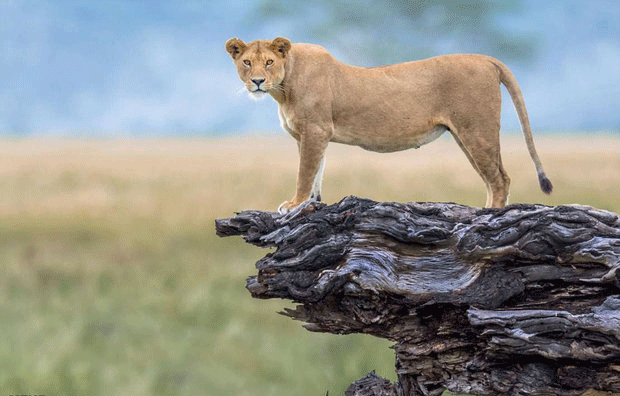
{"x": 157, "y": 68}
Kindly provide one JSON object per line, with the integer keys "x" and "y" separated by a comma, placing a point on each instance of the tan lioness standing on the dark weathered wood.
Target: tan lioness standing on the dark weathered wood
{"x": 384, "y": 109}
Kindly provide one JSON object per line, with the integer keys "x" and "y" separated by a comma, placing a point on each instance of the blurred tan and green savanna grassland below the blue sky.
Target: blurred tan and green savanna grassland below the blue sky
{"x": 112, "y": 280}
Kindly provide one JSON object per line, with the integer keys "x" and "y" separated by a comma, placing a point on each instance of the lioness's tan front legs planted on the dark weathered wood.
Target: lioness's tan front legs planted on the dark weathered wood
{"x": 312, "y": 147}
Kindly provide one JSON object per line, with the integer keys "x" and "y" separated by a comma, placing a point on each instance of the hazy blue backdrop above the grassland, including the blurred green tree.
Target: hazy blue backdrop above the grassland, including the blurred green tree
{"x": 121, "y": 68}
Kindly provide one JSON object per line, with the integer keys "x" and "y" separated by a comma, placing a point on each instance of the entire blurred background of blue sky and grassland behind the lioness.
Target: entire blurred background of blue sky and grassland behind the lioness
{"x": 125, "y": 132}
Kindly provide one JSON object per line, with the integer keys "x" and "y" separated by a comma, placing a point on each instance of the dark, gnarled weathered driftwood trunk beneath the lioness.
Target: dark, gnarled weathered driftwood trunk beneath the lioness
{"x": 516, "y": 301}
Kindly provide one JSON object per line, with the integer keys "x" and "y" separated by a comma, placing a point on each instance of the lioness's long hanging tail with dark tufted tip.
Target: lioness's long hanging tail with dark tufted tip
{"x": 510, "y": 82}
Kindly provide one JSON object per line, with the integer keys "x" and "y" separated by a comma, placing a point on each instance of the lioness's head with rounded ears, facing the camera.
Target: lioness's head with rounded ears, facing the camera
{"x": 260, "y": 63}
